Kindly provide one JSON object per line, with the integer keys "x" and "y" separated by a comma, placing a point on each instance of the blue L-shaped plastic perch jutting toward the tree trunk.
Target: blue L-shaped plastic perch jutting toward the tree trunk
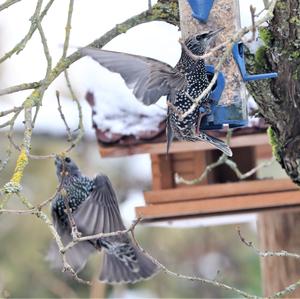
{"x": 238, "y": 55}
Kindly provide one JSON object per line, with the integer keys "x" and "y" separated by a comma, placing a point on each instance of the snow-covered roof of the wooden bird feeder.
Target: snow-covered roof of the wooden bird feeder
{"x": 125, "y": 121}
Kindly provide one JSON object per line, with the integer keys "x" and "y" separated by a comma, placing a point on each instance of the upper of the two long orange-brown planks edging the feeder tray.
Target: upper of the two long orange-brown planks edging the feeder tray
{"x": 219, "y": 190}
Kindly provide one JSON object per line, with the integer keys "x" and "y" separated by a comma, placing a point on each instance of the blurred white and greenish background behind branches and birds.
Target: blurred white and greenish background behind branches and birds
{"x": 205, "y": 247}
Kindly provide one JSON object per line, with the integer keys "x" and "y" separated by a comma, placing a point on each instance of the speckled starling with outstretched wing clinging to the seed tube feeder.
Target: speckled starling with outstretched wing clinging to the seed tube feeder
{"x": 150, "y": 79}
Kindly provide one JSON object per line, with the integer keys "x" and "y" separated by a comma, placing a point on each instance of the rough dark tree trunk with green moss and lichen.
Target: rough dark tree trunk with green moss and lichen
{"x": 279, "y": 99}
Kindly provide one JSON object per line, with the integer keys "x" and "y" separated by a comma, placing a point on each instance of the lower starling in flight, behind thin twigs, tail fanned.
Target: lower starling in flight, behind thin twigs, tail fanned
{"x": 94, "y": 208}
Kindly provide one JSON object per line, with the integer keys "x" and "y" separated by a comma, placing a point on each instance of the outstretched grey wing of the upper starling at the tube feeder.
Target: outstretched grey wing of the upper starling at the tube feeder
{"x": 149, "y": 78}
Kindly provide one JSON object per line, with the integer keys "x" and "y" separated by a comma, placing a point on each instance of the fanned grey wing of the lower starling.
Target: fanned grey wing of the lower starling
{"x": 99, "y": 213}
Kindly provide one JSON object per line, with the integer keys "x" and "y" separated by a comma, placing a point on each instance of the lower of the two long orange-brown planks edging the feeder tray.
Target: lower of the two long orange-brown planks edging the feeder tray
{"x": 222, "y": 205}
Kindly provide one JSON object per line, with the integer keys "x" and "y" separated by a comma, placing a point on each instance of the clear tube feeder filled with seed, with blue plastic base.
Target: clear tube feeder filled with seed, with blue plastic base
{"x": 229, "y": 105}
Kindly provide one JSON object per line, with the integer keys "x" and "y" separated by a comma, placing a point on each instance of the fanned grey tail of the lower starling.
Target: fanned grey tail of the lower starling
{"x": 115, "y": 271}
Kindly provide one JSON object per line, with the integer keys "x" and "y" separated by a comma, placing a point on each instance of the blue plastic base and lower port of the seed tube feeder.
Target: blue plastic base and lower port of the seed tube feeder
{"x": 233, "y": 115}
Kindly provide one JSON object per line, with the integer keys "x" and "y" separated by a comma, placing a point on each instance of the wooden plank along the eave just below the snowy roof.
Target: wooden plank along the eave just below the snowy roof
{"x": 180, "y": 146}
